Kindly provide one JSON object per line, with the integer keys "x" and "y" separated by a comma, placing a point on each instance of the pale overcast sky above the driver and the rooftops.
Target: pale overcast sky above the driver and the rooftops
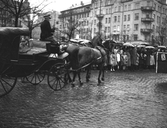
{"x": 59, "y": 5}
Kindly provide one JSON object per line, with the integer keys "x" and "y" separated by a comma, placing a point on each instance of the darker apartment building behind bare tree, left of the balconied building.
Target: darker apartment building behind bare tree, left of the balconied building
{"x": 78, "y": 19}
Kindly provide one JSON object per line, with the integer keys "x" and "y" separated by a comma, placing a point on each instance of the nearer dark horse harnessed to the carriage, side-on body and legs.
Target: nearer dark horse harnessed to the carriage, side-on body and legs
{"x": 81, "y": 57}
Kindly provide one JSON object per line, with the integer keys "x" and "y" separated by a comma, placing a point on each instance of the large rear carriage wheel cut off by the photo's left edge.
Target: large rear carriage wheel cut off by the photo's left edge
{"x": 7, "y": 84}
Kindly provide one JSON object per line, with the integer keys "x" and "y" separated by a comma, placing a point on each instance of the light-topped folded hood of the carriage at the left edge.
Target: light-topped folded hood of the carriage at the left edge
{"x": 5, "y": 31}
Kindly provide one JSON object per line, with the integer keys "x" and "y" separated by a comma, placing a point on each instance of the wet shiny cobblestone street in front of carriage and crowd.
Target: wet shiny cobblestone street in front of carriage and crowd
{"x": 125, "y": 100}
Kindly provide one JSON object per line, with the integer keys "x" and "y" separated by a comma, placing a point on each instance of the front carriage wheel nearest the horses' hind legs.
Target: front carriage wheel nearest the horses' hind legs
{"x": 57, "y": 77}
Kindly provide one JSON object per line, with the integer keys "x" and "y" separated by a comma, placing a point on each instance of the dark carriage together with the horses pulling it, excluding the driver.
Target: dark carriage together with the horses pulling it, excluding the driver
{"x": 35, "y": 63}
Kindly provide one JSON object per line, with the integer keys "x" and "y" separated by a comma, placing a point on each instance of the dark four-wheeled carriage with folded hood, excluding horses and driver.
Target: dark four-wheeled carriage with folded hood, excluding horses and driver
{"x": 32, "y": 65}
